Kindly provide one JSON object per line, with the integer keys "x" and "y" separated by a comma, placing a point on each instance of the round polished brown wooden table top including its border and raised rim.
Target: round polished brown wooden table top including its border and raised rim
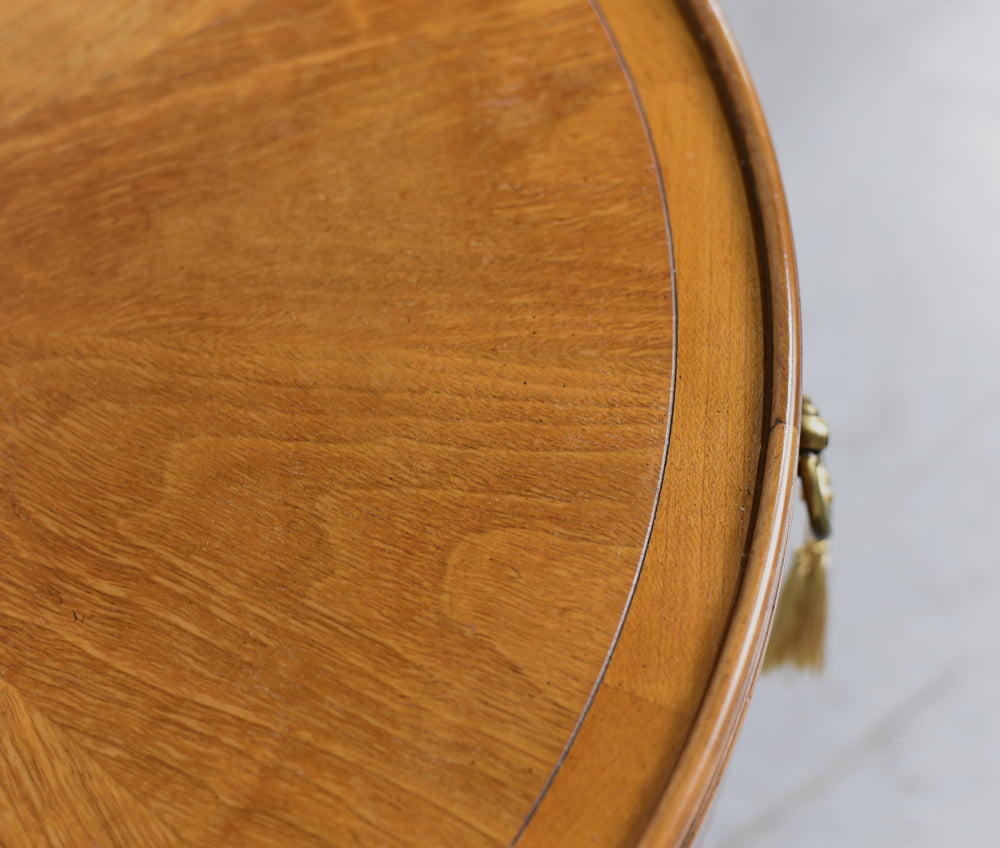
{"x": 399, "y": 406}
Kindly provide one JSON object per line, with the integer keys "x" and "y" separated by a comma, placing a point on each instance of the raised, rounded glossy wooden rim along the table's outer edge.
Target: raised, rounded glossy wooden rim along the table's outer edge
{"x": 693, "y": 782}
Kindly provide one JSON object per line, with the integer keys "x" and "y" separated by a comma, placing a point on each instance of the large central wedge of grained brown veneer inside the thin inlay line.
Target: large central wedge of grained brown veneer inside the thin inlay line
{"x": 336, "y": 361}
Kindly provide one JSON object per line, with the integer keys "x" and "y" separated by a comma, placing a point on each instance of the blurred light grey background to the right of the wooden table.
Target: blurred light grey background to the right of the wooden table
{"x": 886, "y": 120}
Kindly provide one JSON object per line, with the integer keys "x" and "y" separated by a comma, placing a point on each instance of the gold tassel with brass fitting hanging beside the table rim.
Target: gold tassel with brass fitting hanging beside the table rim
{"x": 798, "y": 634}
